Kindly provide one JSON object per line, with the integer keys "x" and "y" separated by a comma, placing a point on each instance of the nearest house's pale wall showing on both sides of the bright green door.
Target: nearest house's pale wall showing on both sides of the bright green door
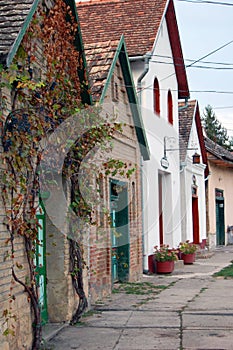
{"x": 62, "y": 299}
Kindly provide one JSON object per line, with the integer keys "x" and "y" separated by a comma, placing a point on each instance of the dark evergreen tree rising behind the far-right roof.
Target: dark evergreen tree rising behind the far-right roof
{"x": 214, "y": 129}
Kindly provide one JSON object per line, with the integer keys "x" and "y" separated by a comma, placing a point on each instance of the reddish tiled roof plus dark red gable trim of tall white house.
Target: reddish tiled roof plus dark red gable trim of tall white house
{"x": 139, "y": 22}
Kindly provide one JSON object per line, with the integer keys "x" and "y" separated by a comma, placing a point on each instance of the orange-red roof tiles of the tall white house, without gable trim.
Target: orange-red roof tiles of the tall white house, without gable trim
{"x": 138, "y": 20}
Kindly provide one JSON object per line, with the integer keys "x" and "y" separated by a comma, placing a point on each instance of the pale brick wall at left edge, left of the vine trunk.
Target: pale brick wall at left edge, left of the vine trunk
{"x": 12, "y": 295}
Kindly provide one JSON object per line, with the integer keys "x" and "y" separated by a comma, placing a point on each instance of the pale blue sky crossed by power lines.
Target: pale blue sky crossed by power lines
{"x": 204, "y": 27}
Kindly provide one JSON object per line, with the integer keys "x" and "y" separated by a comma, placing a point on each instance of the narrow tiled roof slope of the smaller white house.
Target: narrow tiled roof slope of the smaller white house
{"x": 186, "y": 117}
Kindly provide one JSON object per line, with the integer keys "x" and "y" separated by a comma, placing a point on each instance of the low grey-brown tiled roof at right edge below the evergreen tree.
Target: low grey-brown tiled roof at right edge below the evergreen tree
{"x": 218, "y": 152}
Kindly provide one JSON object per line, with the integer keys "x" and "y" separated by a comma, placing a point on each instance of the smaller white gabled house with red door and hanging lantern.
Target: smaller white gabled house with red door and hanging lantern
{"x": 193, "y": 174}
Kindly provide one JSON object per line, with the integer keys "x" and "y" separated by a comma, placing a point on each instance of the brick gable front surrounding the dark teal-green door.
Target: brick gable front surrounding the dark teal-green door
{"x": 125, "y": 148}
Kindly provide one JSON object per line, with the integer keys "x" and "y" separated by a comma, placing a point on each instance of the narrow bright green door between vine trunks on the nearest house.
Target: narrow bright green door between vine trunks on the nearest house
{"x": 41, "y": 264}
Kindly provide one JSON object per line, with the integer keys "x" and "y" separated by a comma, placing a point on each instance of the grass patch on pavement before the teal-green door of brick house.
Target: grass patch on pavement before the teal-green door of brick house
{"x": 138, "y": 288}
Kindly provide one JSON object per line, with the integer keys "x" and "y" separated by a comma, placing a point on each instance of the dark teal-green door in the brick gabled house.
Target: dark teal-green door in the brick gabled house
{"x": 120, "y": 230}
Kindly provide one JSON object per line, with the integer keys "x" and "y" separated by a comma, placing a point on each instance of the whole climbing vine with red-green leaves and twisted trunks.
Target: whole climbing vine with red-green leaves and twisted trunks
{"x": 45, "y": 91}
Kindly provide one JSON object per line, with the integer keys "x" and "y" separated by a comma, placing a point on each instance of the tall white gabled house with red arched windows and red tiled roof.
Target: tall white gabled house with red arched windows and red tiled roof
{"x": 153, "y": 44}
